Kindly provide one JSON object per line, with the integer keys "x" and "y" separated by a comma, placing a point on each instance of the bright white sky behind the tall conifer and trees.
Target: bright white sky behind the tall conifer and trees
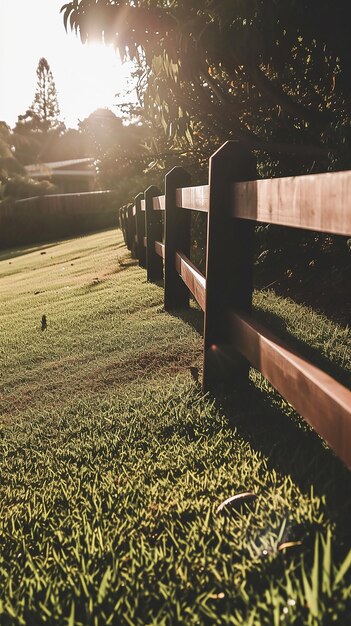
{"x": 86, "y": 76}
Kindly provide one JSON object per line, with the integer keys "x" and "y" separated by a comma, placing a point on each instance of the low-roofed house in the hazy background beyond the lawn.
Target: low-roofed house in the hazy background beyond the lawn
{"x": 73, "y": 176}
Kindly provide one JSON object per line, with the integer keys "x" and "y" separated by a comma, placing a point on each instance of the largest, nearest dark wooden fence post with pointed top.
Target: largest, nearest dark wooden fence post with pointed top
{"x": 229, "y": 266}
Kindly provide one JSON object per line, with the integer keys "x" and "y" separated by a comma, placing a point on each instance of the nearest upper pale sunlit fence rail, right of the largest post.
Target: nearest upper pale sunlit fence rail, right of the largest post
{"x": 320, "y": 202}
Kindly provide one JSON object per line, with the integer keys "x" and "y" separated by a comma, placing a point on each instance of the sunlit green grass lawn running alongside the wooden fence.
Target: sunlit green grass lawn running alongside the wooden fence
{"x": 113, "y": 463}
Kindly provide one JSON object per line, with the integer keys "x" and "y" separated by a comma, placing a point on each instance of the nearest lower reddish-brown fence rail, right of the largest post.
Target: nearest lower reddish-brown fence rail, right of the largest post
{"x": 322, "y": 401}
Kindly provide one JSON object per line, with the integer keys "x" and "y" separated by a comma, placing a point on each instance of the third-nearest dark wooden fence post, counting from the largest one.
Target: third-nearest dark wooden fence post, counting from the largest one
{"x": 154, "y": 263}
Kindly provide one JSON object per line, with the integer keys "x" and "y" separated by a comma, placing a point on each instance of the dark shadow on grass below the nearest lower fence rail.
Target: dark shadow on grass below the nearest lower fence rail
{"x": 291, "y": 448}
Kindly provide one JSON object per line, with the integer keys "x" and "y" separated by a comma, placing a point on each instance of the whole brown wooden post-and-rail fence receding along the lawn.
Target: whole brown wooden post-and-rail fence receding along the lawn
{"x": 234, "y": 202}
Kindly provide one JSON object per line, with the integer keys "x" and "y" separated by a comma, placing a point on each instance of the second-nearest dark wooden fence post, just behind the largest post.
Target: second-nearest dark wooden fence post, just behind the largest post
{"x": 177, "y": 239}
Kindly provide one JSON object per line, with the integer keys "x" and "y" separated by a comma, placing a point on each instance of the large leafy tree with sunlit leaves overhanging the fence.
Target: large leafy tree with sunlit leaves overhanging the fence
{"x": 272, "y": 74}
